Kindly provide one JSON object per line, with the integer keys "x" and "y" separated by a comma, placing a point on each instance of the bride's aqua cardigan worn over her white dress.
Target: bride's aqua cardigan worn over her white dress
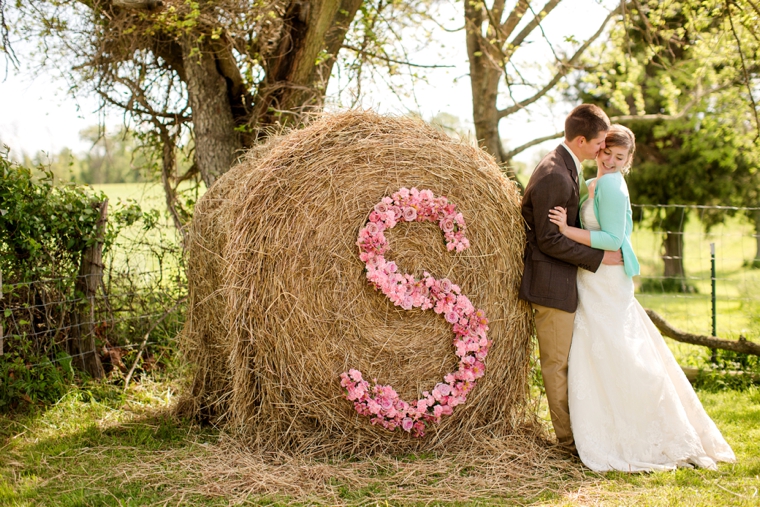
{"x": 613, "y": 201}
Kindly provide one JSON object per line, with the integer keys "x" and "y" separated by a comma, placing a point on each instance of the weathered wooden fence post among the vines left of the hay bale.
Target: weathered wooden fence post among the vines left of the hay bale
{"x": 82, "y": 343}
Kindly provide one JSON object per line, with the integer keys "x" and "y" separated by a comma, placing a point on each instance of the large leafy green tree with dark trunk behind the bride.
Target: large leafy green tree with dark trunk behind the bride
{"x": 674, "y": 74}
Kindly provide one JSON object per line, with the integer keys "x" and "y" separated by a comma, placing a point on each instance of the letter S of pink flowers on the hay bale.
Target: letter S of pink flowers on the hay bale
{"x": 381, "y": 403}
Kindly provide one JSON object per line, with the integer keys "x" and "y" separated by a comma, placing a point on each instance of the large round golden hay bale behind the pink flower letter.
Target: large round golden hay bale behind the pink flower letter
{"x": 276, "y": 256}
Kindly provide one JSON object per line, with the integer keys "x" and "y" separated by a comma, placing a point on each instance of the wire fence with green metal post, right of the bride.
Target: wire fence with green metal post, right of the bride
{"x": 668, "y": 236}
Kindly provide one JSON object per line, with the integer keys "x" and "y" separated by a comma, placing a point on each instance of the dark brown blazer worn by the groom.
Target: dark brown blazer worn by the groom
{"x": 551, "y": 259}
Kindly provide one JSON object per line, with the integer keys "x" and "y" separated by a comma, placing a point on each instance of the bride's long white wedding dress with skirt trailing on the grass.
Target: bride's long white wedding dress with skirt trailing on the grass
{"x": 631, "y": 406}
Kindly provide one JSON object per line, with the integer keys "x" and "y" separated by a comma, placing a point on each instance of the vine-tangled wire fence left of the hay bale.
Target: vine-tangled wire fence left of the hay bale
{"x": 40, "y": 317}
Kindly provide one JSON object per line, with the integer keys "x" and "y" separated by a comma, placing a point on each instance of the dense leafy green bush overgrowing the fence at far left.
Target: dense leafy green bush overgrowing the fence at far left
{"x": 44, "y": 230}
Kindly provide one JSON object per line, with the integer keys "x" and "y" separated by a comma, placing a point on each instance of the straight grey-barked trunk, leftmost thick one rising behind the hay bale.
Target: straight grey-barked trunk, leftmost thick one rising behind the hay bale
{"x": 214, "y": 128}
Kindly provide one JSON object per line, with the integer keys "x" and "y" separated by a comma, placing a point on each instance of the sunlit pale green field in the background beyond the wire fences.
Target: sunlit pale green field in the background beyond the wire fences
{"x": 738, "y": 287}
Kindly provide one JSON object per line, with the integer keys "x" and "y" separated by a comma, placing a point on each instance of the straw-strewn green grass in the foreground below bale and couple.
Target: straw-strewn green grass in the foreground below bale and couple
{"x": 98, "y": 446}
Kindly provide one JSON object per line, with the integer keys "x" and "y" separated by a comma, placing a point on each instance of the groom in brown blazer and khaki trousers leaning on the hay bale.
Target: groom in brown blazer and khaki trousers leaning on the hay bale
{"x": 552, "y": 260}
